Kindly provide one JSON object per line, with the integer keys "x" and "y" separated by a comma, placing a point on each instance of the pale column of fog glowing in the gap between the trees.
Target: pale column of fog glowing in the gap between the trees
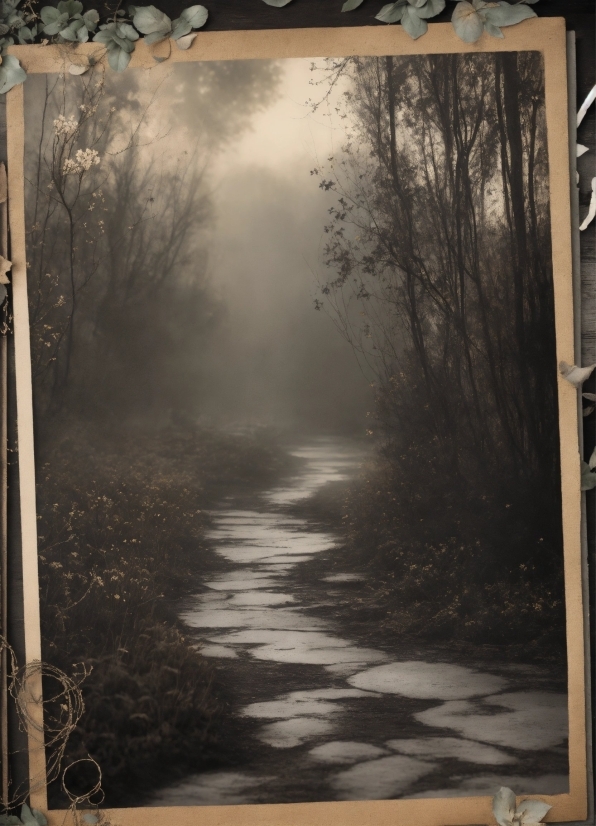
{"x": 274, "y": 359}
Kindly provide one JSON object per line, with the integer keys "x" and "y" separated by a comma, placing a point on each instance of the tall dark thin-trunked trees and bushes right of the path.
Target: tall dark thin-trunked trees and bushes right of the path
{"x": 440, "y": 279}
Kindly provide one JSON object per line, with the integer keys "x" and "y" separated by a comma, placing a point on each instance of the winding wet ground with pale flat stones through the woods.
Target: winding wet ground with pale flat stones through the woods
{"x": 325, "y": 715}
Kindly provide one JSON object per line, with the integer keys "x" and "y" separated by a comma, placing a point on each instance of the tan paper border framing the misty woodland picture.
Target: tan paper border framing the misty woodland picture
{"x": 544, "y": 35}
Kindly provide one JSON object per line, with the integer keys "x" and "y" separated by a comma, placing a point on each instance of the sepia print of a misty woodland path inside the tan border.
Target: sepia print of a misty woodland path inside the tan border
{"x": 296, "y": 419}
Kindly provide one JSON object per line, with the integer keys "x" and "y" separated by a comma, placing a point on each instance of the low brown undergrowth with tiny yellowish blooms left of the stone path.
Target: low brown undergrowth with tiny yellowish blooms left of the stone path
{"x": 122, "y": 537}
